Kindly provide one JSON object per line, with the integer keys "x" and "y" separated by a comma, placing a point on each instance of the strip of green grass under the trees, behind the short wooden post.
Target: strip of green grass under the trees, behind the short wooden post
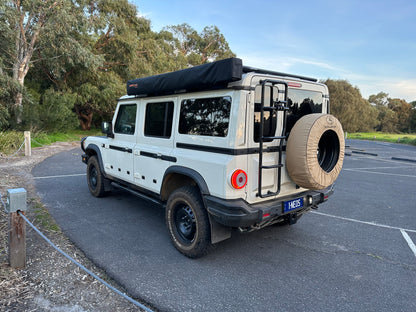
{"x": 10, "y": 141}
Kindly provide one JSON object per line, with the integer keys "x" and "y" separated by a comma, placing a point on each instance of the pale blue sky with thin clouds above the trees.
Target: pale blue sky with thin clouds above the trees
{"x": 370, "y": 43}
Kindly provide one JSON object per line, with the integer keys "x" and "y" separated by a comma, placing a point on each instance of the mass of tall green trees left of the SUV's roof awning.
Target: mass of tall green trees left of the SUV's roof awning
{"x": 72, "y": 58}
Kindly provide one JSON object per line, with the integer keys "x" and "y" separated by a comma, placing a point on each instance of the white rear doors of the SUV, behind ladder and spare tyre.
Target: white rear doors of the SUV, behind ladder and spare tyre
{"x": 302, "y": 98}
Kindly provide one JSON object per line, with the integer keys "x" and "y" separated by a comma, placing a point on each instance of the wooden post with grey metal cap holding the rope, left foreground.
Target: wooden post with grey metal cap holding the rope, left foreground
{"x": 16, "y": 202}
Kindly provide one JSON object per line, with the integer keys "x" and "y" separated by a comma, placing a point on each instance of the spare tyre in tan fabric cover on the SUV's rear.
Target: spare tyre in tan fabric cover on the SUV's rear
{"x": 315, "y": 151}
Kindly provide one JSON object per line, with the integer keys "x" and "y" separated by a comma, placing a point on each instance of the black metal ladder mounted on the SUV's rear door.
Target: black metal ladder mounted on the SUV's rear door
{"x": 273, "y": 106}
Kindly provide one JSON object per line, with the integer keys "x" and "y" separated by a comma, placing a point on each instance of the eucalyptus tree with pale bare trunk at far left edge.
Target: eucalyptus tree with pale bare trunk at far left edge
{"x": 26, "y": 27}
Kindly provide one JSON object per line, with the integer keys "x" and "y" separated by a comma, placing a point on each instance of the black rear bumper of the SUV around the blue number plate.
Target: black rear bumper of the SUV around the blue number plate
{"x": 239, "y": 213}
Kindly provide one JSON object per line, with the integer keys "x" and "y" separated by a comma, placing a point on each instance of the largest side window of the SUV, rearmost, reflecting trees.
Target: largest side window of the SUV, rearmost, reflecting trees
{"x": 205, "y": 116}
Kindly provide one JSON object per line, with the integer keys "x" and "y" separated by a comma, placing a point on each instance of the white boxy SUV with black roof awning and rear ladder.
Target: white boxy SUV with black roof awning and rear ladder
{"x": 222, "y": 146}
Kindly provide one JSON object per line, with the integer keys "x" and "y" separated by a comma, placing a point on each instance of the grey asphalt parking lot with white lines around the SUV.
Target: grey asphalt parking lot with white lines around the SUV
{"x": 355, "y": 253}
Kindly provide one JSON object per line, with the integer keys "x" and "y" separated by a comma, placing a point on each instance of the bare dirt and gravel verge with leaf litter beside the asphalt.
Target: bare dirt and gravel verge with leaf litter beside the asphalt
{"x": 50, "y": 282}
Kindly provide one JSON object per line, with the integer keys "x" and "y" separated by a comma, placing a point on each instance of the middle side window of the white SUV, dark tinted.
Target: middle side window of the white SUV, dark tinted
{"x": 158, "y": 121}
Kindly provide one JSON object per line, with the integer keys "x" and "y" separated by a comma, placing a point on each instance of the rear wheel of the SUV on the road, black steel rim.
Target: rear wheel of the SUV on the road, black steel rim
{"x": 188, "y": 223}
